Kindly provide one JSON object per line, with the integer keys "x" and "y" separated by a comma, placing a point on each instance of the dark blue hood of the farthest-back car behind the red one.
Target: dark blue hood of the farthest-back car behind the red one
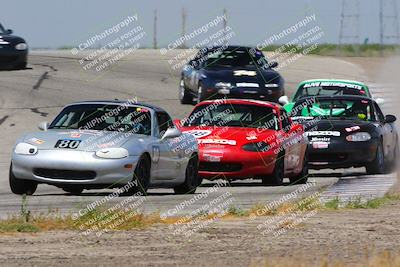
{"x": 244, "y": 74}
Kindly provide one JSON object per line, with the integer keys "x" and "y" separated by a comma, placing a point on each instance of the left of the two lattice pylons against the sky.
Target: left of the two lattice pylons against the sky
{"x": 349, "y": 24}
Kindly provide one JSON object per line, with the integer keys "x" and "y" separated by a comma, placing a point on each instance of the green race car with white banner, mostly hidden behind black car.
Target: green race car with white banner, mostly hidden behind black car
{"x": 326, "y": 87}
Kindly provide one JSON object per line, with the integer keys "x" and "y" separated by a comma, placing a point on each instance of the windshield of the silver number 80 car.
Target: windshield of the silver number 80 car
{"x": 104, "y": 118}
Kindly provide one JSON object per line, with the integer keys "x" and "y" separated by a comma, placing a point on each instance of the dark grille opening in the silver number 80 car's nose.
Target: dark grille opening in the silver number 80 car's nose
{"x": 64, "y": 174}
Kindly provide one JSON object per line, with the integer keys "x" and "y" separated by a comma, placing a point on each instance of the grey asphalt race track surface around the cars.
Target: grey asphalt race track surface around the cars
{"x": 56, "y": 78}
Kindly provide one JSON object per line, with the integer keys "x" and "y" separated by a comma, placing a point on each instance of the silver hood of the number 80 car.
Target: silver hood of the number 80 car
{"x": 89, "y": 140}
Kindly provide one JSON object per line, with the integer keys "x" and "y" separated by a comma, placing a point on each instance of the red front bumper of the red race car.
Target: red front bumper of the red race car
{"x": 234, "y": 165}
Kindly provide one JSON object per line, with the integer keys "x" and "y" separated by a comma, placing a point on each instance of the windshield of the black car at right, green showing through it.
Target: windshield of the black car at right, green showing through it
{"x": 335, "y": 108}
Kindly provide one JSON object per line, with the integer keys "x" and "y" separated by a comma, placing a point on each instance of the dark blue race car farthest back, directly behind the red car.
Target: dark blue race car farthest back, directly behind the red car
{"x": 232, "y": 72}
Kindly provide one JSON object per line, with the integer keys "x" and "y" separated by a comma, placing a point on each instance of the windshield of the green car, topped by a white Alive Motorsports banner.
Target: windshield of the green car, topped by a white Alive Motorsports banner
{"x": 327, "y": 88}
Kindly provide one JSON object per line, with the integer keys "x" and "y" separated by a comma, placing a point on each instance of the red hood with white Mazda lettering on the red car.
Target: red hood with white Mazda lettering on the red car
{"x": 228, "y": 137}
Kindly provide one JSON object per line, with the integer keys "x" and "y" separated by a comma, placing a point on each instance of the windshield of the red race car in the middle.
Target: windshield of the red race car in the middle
{"x": 233, "y": 115}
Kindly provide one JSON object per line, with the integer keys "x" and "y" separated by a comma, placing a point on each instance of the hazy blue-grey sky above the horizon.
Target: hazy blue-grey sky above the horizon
{"x": 50, "y": 23}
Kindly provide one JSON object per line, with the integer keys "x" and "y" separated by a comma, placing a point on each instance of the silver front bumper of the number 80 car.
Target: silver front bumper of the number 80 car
{"x": 72, "y": 167}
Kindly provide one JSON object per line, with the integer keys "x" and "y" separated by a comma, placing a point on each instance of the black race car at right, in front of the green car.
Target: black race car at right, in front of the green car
{"x": 347, "y": 131}
